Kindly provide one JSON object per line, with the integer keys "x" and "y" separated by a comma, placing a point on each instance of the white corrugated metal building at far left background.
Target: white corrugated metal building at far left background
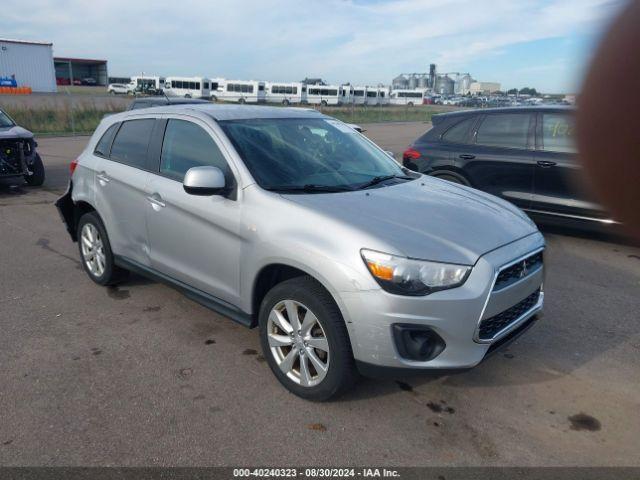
{"x": 28, "y": 64}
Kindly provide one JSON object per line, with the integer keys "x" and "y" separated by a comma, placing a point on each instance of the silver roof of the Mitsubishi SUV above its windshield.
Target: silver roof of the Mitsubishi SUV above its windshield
{"x": 240, "y": 112}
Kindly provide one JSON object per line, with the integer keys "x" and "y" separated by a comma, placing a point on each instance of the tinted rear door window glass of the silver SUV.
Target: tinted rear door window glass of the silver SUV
{"x": 132, "y": 140}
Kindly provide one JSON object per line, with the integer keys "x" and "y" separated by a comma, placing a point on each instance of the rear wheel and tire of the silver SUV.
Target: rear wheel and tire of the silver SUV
{"x": 110, "y": 274}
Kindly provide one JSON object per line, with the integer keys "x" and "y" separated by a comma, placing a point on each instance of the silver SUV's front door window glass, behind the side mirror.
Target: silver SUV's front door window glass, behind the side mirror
{"x": 187, "y": 145}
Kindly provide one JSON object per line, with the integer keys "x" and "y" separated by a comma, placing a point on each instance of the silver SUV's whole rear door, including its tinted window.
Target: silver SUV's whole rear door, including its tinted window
{"x": 121, "y": 179}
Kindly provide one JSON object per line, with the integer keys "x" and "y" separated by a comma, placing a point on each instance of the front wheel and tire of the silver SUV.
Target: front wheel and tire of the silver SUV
{"x": 304, "y": 295}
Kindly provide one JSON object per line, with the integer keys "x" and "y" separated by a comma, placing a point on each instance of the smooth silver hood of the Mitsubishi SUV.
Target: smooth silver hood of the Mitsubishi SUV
{"x": 427, "y": 218}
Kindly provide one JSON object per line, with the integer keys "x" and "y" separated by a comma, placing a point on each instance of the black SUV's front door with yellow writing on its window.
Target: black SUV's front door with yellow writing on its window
{"x": 559, "y": 185}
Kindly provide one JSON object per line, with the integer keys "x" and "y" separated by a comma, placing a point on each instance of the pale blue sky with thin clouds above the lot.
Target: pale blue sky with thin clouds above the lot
{"x": 545, "y": 44}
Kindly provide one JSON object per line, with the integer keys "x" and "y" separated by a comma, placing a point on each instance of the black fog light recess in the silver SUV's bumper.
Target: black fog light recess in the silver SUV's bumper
{"x": 417, "y": 342}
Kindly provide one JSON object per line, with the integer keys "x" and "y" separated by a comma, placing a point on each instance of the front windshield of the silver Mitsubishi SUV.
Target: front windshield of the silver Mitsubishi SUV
{"x": 308, "y": 154}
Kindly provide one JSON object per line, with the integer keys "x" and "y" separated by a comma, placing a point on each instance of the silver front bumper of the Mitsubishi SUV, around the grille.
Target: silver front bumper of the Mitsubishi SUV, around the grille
{"x": 453, "y": 314}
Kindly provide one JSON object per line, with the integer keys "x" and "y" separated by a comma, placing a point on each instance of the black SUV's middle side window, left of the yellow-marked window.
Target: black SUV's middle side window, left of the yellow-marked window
{"x": 504, "y": 130}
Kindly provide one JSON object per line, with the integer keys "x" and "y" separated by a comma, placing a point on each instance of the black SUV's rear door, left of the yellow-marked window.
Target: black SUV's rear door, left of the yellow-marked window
{"x": 500, "y": 160}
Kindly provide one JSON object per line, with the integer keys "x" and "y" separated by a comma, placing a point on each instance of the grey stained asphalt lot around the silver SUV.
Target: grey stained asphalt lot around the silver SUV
{"x": 140, "y": 375}
